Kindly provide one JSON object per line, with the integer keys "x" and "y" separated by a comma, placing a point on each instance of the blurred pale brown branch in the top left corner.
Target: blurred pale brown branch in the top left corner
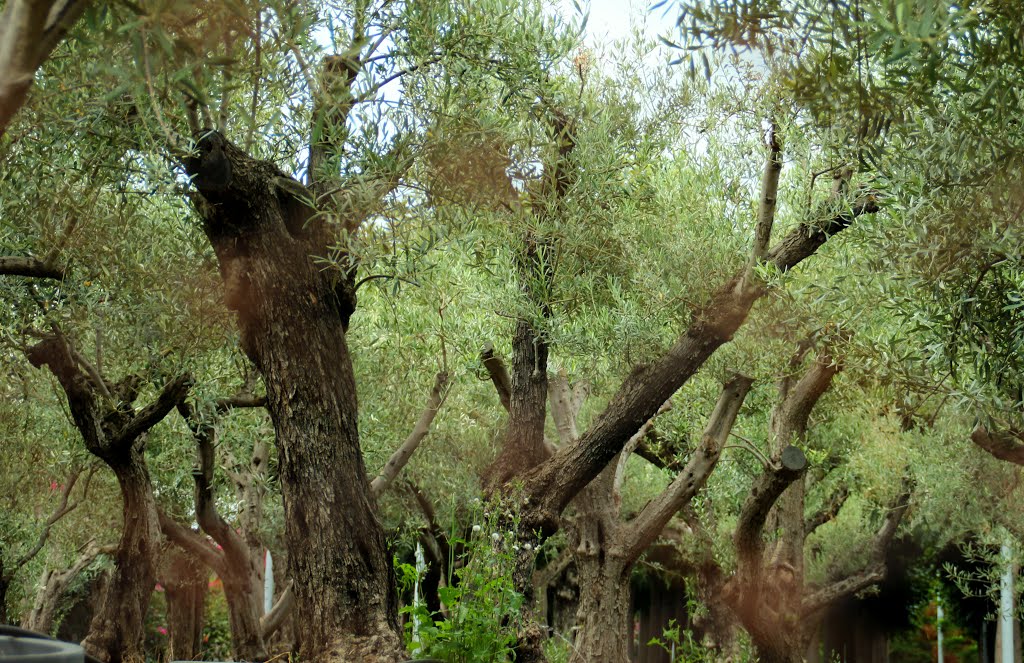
{"x": 30, "y": 30}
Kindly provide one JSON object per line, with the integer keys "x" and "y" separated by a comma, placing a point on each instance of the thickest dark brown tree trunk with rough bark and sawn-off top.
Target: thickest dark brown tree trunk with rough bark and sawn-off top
{"x": 293, "y": 317}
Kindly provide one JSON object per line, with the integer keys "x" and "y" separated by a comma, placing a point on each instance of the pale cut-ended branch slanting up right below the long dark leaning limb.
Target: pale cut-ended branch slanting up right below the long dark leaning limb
{"x": 649, "y": 525}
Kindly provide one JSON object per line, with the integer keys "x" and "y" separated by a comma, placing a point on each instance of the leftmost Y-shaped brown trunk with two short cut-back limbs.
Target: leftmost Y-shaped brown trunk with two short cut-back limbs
{"x": 115, "y": 433}
